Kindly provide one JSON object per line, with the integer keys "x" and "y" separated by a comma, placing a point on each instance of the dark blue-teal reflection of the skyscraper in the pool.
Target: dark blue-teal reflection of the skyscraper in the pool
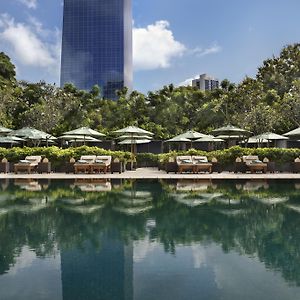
{"x": 103, "y": 271}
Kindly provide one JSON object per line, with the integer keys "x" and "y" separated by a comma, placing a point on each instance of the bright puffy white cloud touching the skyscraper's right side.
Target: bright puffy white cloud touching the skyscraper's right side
{"x": 155, "y": 46}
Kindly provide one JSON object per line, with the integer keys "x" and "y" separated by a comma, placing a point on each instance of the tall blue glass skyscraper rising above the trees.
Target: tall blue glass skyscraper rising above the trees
{"x": 97, "y": 45}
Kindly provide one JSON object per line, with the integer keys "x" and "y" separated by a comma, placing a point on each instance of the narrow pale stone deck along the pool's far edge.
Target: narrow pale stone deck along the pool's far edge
{"x": 152, "y": 173}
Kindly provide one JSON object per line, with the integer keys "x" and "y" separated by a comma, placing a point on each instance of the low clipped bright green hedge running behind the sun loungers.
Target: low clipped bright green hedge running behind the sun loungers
{"x": 225, "y": 157}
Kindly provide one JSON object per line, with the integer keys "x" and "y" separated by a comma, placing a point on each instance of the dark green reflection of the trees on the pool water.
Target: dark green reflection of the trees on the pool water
{"x": 231, "y": 216}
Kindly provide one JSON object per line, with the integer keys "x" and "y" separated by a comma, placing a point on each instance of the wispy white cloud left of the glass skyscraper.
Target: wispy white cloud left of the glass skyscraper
{"x": 30, "y": 44}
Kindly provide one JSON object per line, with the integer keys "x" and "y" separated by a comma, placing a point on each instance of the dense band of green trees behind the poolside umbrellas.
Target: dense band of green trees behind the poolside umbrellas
{"x": 269, "y": 102}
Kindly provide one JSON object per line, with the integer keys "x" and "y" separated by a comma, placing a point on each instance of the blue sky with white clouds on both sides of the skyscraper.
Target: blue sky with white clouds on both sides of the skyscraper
{"x": 174, "y": 40}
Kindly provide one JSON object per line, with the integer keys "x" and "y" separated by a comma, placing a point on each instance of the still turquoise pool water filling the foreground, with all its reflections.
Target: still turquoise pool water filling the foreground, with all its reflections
{"x": 149, "y": 240}
